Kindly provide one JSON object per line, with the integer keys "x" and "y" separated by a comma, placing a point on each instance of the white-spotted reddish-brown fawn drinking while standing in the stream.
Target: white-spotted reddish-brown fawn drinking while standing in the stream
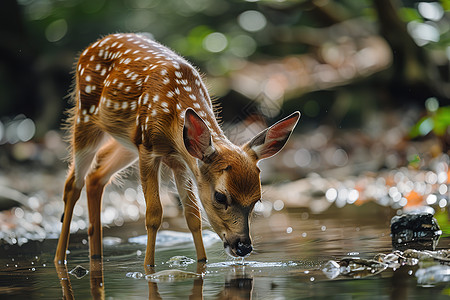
{"x": 138, "y": 100}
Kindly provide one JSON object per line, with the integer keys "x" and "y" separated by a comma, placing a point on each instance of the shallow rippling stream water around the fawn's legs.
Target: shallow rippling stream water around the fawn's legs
{"x": 292, "y": 248}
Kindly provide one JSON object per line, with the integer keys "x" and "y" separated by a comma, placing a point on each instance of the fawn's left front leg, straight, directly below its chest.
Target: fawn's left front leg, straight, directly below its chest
{"x": 149, "y": 169}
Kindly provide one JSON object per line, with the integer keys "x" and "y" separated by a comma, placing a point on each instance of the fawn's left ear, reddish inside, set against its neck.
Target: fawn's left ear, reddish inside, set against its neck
{"x": 196, "y": 136}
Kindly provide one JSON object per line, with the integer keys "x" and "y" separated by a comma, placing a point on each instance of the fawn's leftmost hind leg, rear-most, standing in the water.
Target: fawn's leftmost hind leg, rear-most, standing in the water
{"x": 83, "y": 154}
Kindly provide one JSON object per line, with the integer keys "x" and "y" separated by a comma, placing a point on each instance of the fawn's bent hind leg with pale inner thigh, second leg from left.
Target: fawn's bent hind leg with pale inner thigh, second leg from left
{"x": 110, "y": 159}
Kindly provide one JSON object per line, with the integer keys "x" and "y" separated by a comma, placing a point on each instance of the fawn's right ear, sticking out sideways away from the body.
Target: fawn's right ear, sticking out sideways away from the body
{"x": 271, "y": 140}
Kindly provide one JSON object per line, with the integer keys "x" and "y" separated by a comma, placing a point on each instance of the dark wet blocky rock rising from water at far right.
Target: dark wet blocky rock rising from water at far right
{"x": 418, "y": 231}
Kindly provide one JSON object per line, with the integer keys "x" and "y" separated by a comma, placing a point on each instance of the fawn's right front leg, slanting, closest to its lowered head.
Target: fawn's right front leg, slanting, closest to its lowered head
{"x": 191, "y": 209}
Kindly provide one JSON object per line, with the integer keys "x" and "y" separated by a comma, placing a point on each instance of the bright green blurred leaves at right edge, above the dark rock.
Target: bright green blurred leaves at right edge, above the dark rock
{"x": 437, "y": 120}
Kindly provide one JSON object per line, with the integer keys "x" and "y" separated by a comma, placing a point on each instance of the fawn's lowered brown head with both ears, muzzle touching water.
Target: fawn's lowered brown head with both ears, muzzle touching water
{"x": 228, "y": 176}
